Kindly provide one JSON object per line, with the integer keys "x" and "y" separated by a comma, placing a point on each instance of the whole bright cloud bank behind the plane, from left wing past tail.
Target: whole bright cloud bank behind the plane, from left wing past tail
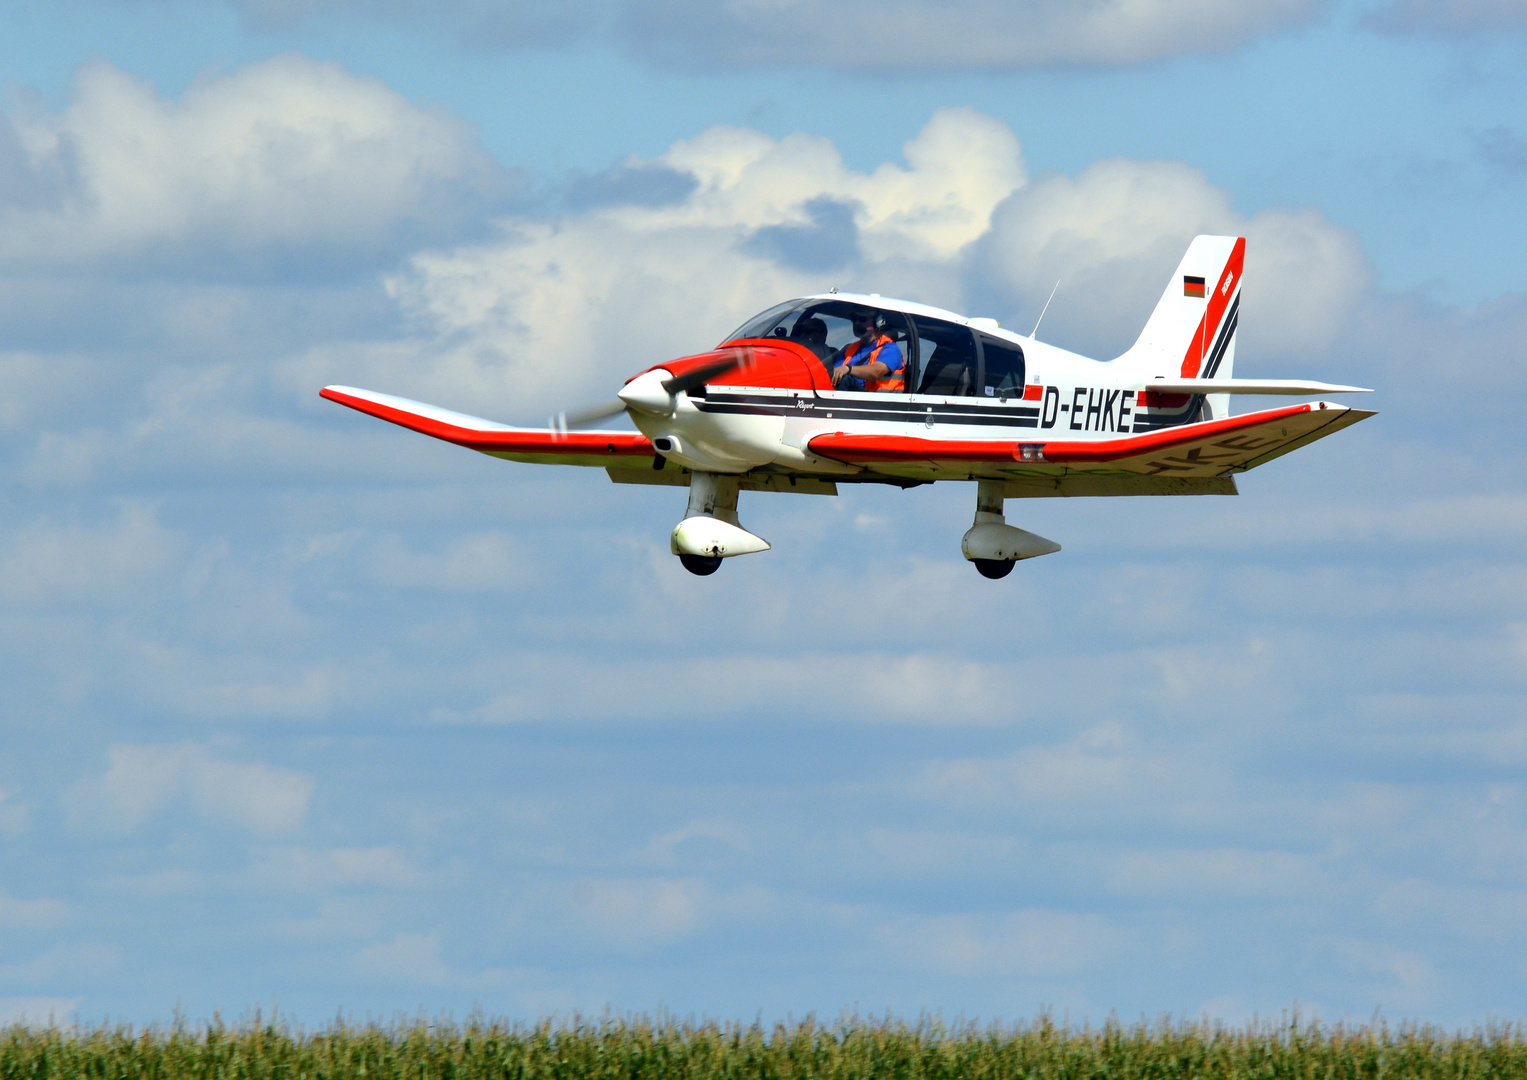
{"x": 555, "y": 312}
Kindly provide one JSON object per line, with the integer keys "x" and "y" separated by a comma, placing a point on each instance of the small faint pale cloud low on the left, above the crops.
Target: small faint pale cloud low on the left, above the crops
{"x": 144, "y": 780}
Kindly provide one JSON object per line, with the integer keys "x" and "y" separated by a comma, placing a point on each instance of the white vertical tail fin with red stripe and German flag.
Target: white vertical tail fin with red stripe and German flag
{"x": 1192, "y": 334}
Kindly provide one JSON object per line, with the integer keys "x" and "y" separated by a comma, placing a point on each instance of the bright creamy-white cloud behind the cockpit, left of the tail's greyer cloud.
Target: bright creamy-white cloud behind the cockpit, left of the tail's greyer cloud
{"x": 554, "y": 312}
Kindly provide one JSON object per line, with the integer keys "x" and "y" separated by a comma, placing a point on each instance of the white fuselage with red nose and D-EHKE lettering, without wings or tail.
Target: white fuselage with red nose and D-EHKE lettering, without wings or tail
{"x": 996, "y": 387}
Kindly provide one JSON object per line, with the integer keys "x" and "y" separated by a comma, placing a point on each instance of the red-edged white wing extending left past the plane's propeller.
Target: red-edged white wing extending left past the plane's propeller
{"x": 543, "y": 447}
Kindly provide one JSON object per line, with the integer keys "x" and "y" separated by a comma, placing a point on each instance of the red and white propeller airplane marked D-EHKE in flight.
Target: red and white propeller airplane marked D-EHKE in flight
{"x": 973, "y": 403}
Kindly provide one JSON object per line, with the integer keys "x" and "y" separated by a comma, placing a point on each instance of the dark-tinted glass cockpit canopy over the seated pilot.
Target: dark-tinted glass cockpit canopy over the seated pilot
{"x": 943, "y": 358}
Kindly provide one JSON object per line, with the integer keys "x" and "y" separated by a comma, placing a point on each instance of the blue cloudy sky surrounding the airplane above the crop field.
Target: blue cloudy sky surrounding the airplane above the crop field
{"x": 308, "y": 713}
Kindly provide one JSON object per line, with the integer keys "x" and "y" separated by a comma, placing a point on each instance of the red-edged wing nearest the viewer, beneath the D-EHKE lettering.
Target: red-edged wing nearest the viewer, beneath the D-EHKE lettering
{"x": 1207, "y": 451}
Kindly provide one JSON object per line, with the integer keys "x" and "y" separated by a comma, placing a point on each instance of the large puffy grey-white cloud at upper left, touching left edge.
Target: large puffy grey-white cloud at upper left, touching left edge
{"x": 291, "y": 163}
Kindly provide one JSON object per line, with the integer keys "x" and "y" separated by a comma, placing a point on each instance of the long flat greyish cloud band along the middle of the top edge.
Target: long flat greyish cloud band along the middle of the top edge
{"x": 915, "y": 36}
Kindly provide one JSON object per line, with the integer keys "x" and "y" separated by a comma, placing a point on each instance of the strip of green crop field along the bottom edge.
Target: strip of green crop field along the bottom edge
{"x": 631, "y": 1049}
